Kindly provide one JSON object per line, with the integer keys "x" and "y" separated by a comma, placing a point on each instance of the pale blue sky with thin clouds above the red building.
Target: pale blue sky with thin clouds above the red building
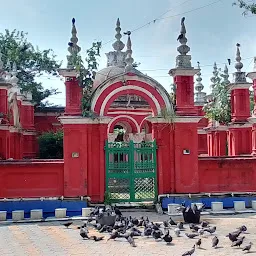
{"x": 213, "y": 29}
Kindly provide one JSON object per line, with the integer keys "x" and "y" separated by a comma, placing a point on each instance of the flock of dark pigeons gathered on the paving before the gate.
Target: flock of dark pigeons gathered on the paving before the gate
{"x": 128, "y": 228}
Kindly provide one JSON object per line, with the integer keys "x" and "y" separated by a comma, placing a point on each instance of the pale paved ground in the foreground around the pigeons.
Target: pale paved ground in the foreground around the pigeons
{"x": 53, "y": 239}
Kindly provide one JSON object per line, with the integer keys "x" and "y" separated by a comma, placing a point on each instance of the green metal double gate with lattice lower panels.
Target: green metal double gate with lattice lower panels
{"x": 131, "y": 171}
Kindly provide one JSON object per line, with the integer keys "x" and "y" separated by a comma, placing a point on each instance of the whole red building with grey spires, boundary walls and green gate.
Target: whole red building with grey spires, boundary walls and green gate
{"x": 158, "y": 150}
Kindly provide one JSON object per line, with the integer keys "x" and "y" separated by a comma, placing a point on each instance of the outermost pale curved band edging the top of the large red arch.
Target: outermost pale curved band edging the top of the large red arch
{"x": 161, "y": 91}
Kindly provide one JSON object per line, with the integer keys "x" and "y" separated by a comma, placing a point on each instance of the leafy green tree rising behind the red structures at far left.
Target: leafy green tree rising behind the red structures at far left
{"x": 31, "y": 63}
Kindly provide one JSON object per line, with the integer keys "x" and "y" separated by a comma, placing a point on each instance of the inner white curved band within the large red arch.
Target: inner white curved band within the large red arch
{"x": 123, "y": 88}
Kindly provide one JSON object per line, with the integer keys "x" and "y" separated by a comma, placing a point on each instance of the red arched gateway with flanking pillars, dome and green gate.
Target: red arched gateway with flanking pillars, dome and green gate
{"x": 129, "y": 151}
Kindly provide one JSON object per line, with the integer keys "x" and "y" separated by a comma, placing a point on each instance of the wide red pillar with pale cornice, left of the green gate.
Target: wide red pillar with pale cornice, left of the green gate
{"x": 84, "y": 157}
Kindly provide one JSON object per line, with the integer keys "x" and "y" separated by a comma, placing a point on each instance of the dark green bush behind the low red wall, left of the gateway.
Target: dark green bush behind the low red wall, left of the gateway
{"x": 51, "y": 145}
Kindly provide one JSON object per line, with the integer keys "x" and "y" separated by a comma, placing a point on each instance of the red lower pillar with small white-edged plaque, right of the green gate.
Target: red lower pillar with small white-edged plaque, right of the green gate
{"x": 186, "y": 155}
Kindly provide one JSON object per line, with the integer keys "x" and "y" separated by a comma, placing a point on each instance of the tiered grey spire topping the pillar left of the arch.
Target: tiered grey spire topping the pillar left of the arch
{"x": 73, "y": 48}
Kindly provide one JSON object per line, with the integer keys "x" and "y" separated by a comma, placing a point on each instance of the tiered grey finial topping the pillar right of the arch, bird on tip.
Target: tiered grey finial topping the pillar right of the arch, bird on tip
{"x": 183, "y": 60}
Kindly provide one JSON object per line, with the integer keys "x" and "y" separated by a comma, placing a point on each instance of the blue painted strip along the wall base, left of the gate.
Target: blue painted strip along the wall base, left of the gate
{"x": 74, "y": 207}
